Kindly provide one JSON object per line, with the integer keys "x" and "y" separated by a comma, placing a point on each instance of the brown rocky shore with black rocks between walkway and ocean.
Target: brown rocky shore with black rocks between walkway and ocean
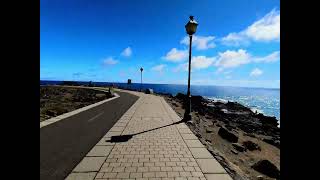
{"x": 246, "y": 143}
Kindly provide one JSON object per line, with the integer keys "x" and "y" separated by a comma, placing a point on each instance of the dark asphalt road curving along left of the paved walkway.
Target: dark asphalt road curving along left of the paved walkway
{"x": 63, "y": 144}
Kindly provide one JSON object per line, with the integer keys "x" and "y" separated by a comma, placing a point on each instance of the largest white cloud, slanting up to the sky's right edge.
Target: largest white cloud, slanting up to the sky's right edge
{"x": 265, "y": 29}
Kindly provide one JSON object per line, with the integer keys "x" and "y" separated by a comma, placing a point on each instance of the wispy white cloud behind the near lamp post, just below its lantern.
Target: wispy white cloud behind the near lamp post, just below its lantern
{"x": 200, "y": 42}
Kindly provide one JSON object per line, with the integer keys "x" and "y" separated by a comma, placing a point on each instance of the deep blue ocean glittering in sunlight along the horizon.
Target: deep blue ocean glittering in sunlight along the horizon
{"x": 264, "y": 100}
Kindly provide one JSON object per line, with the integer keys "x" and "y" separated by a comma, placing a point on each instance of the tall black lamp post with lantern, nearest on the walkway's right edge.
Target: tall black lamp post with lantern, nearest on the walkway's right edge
{"x": 191, "y": 28}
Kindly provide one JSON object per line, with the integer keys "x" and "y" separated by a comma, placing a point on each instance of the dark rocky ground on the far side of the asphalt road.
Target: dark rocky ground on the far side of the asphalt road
{"x": 57, "y": 100}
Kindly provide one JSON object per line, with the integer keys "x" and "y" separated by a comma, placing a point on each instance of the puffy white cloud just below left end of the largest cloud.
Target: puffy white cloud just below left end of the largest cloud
{"x": 231, "y": 59}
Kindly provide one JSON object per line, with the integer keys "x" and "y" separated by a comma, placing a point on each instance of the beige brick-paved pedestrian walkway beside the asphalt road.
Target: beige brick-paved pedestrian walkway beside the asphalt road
{"x": 171, "y": 152}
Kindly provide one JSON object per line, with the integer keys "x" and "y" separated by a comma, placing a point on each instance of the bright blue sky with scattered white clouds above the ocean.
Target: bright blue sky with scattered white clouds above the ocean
{"x": 237, "y": 43}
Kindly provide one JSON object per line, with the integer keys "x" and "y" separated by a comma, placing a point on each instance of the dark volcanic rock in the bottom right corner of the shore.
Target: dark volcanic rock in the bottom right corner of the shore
{"x": 267, "y": 168}
